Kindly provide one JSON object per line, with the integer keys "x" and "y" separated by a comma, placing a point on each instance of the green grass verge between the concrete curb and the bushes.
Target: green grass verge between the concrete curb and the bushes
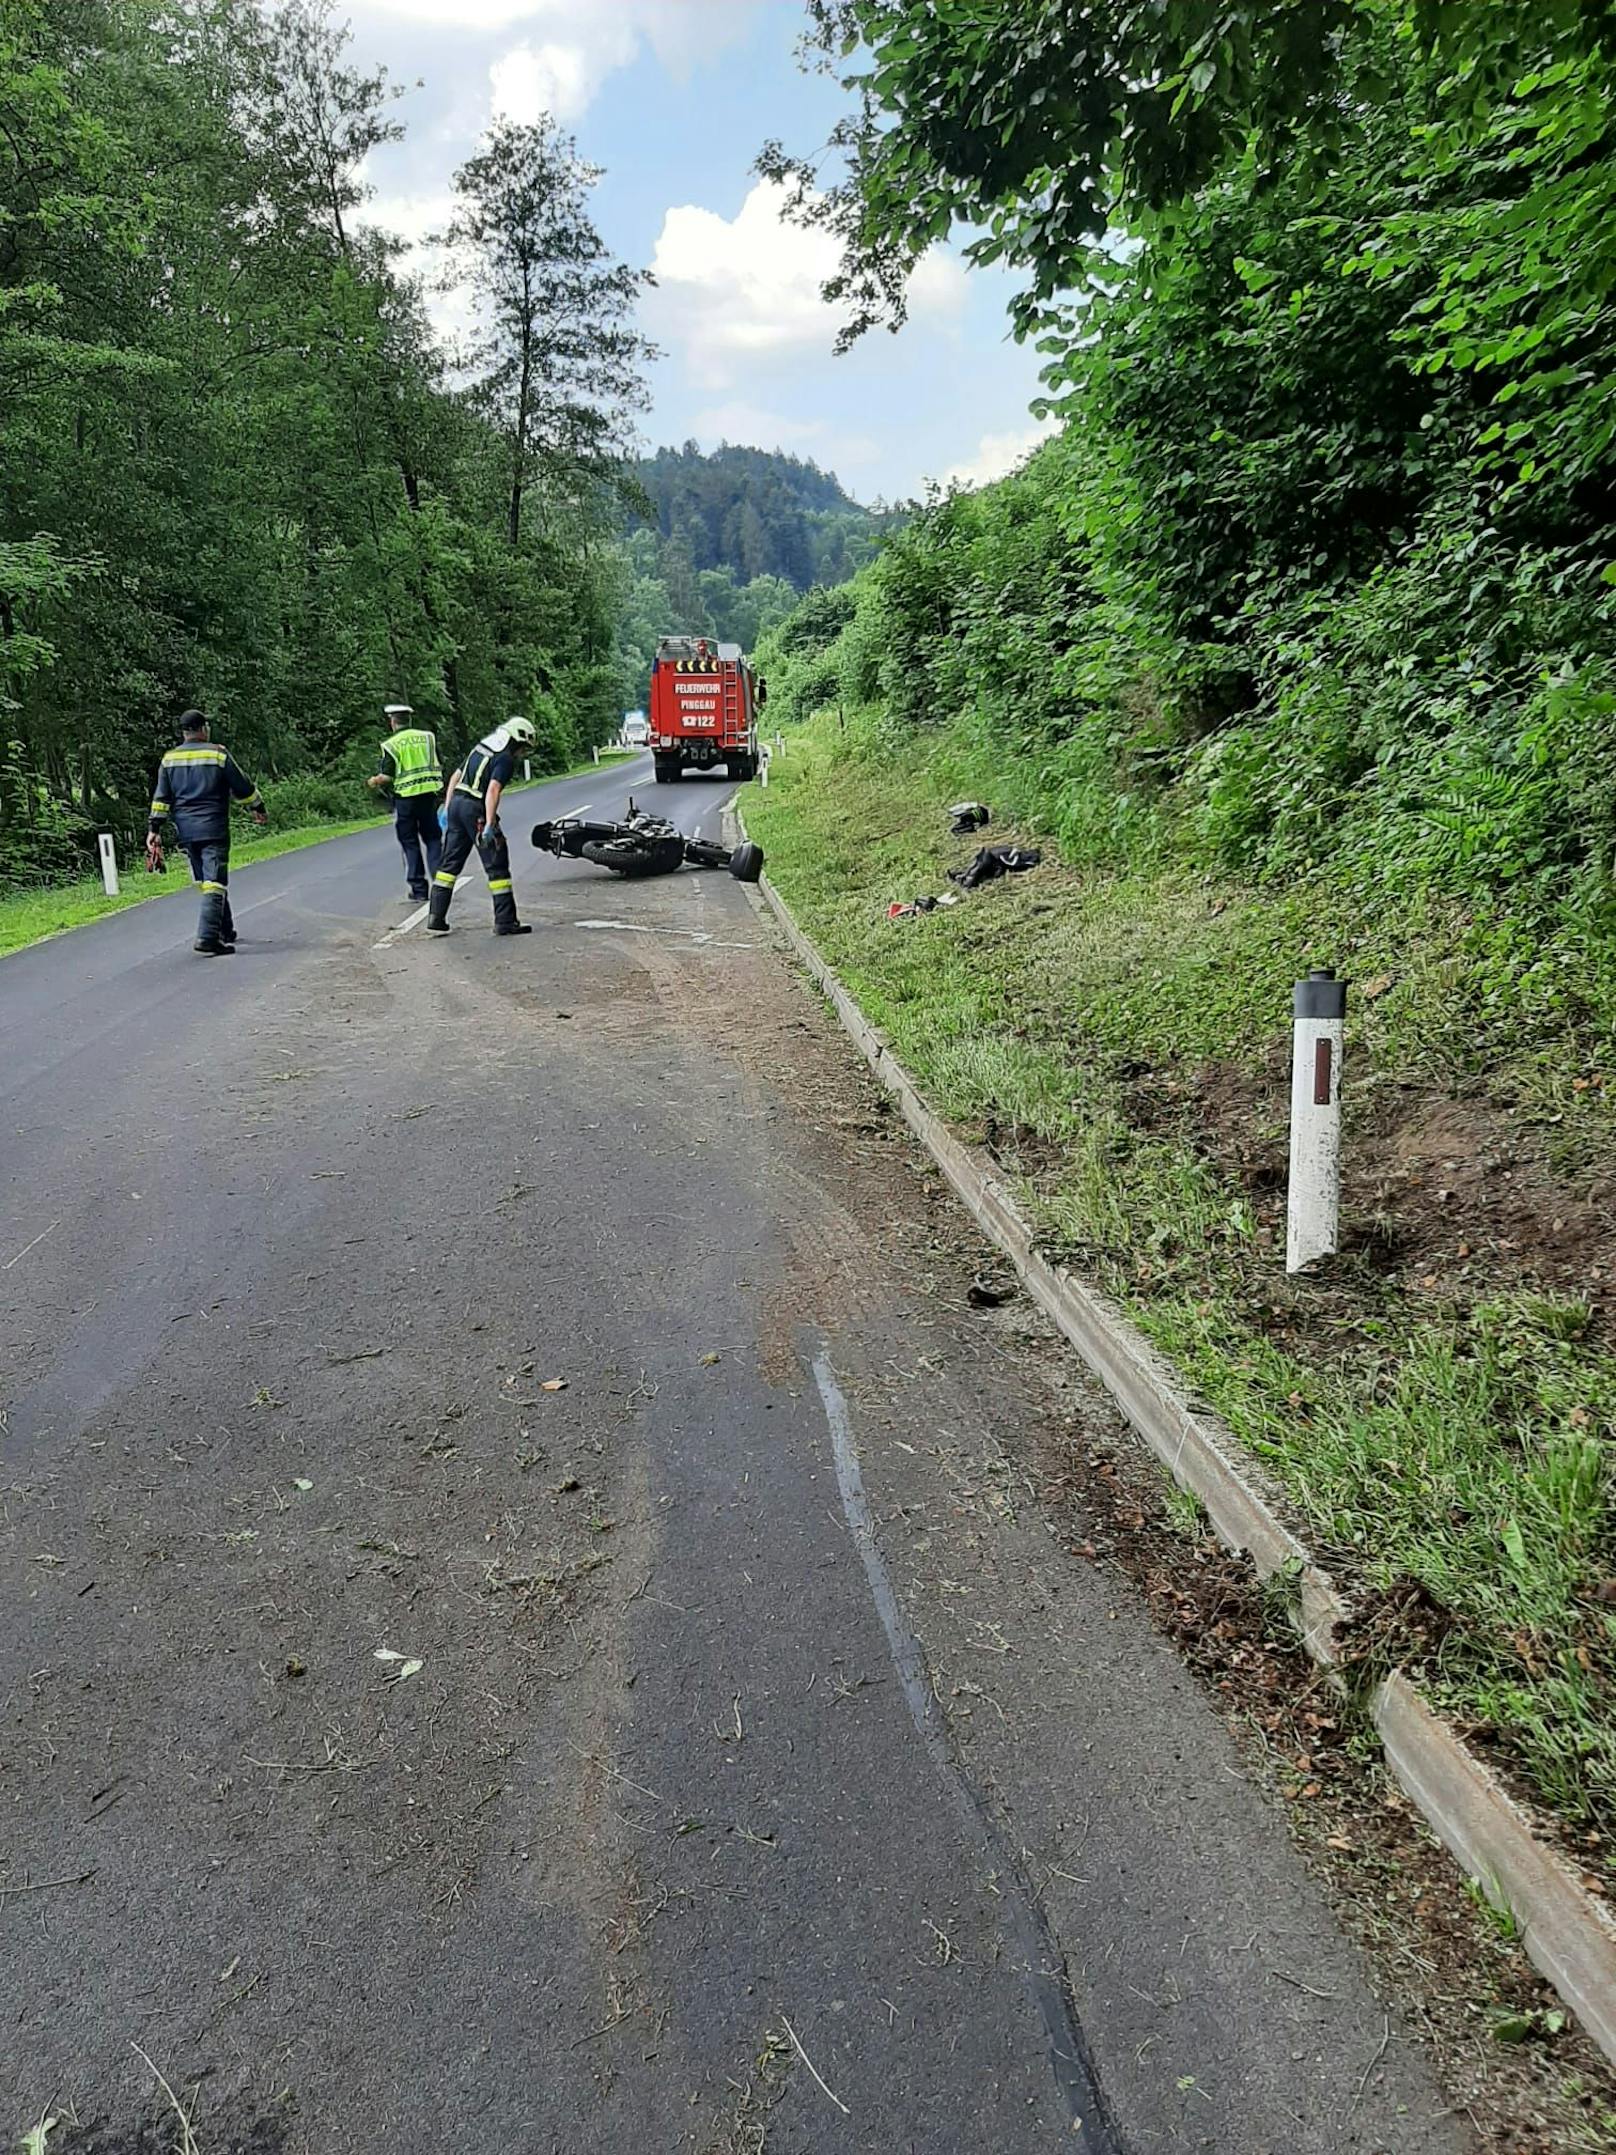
{"x": 1464, "y": 1445}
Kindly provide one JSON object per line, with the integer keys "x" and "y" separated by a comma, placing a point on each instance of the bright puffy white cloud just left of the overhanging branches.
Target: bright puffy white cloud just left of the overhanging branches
{"x": 742, "y": 290}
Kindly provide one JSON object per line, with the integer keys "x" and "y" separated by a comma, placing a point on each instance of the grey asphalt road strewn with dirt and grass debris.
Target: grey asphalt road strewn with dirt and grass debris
{"x": 520, "y": 1628}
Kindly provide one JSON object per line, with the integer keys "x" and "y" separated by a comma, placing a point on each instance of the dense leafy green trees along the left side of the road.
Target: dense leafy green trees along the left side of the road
{"x": 232, "y": 467}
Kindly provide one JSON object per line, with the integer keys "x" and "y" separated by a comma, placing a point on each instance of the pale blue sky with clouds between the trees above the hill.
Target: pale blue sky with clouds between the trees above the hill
{"x": 675, "y": 100}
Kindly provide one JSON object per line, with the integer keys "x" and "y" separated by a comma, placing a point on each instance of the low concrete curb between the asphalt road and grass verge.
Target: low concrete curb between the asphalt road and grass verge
{"x": 1568, "y": 1932}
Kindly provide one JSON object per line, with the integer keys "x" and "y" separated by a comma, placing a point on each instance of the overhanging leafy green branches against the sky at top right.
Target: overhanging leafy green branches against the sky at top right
{"x": 1042, "y": 126}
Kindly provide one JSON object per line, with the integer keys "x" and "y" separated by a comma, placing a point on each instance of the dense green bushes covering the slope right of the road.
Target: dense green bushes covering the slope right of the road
{"x": 1320, "y": 572}
